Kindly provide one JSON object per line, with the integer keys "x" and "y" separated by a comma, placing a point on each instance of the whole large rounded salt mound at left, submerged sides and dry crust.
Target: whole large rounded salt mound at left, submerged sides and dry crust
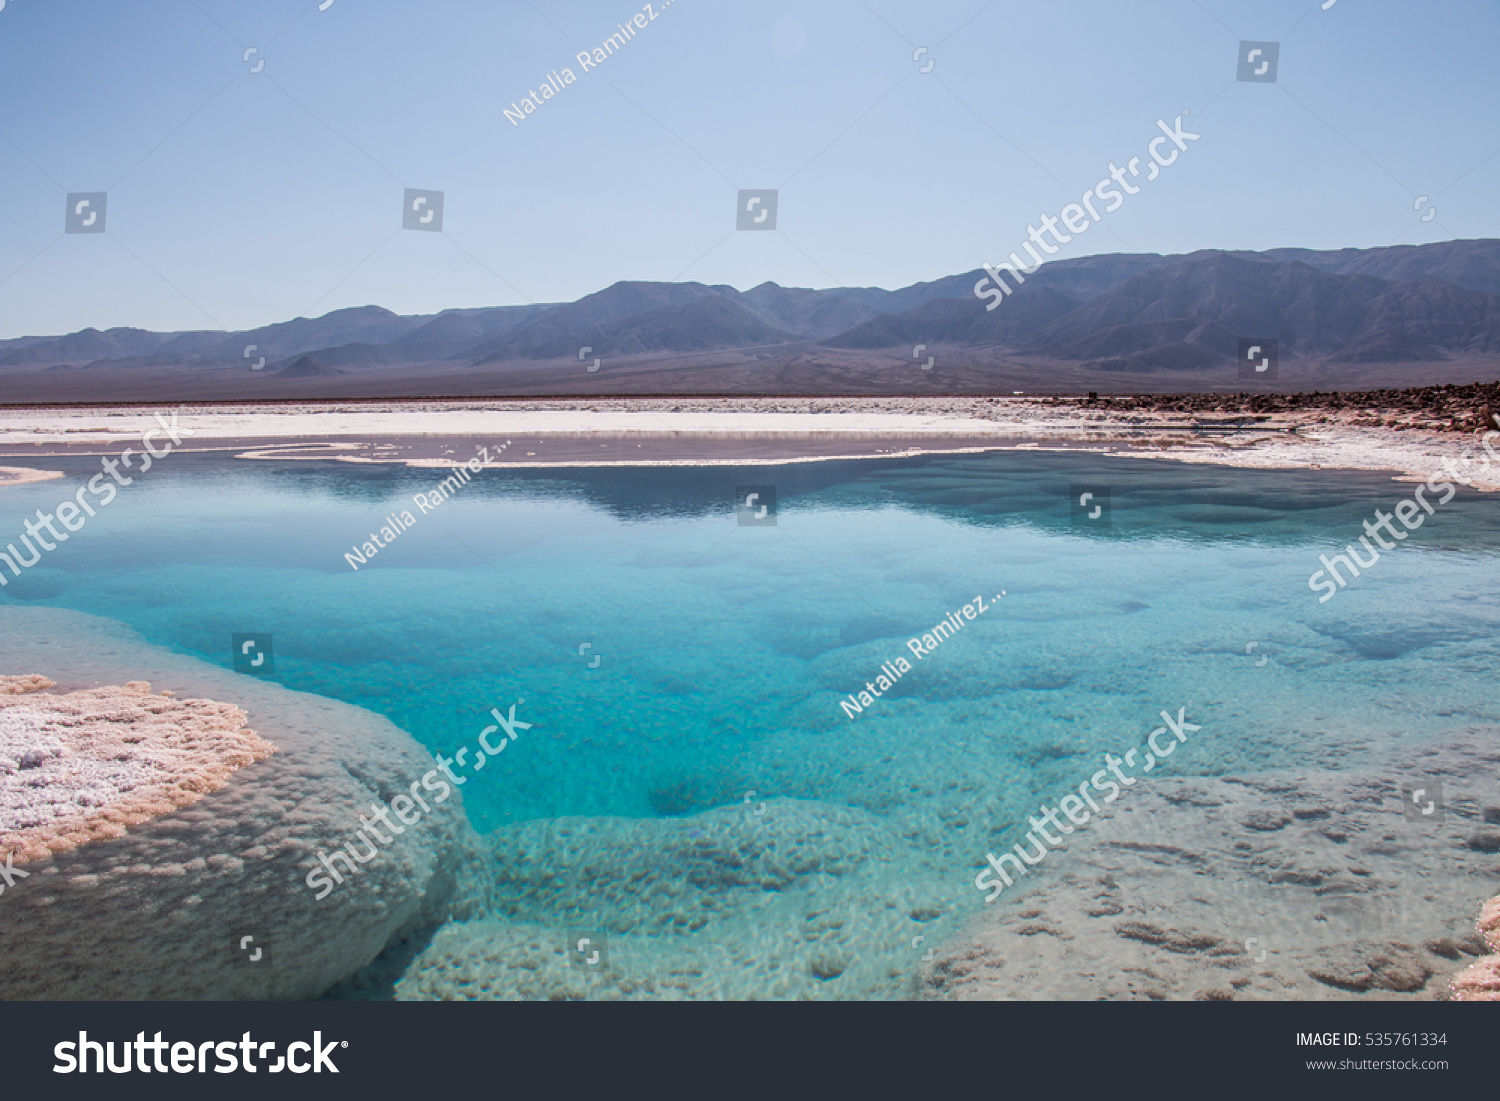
{"x": 209, "y": 896}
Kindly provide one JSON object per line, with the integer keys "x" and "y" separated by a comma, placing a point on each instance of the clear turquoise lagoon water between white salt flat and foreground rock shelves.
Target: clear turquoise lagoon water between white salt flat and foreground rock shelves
{"x": 724, "y": 650}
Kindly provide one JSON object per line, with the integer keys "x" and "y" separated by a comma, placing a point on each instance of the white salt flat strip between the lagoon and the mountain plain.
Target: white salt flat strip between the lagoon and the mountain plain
{"x": 746, "y": 433}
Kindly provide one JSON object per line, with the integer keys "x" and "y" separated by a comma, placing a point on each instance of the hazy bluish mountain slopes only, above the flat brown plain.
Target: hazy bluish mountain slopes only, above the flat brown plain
{"x": 1117, "y": 313}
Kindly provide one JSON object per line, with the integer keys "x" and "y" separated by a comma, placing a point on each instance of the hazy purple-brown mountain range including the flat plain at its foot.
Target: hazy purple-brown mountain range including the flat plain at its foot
{"x": 1120, "y": 320}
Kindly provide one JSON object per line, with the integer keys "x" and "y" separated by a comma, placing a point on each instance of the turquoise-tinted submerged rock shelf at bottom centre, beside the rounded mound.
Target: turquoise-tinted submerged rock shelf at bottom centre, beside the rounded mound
{"x": 800, "y": 901}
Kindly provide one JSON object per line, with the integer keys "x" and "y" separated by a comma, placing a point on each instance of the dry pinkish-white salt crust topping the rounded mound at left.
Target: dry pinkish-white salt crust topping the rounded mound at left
{"x": 88, "y": 766}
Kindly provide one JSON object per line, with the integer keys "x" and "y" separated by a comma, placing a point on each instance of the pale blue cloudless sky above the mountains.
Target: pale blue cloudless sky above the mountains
{"x": 238, "y": 199}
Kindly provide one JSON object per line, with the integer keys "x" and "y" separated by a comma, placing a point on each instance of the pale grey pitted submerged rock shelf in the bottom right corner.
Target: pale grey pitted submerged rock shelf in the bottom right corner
{"x": 1289, "y": 886}
